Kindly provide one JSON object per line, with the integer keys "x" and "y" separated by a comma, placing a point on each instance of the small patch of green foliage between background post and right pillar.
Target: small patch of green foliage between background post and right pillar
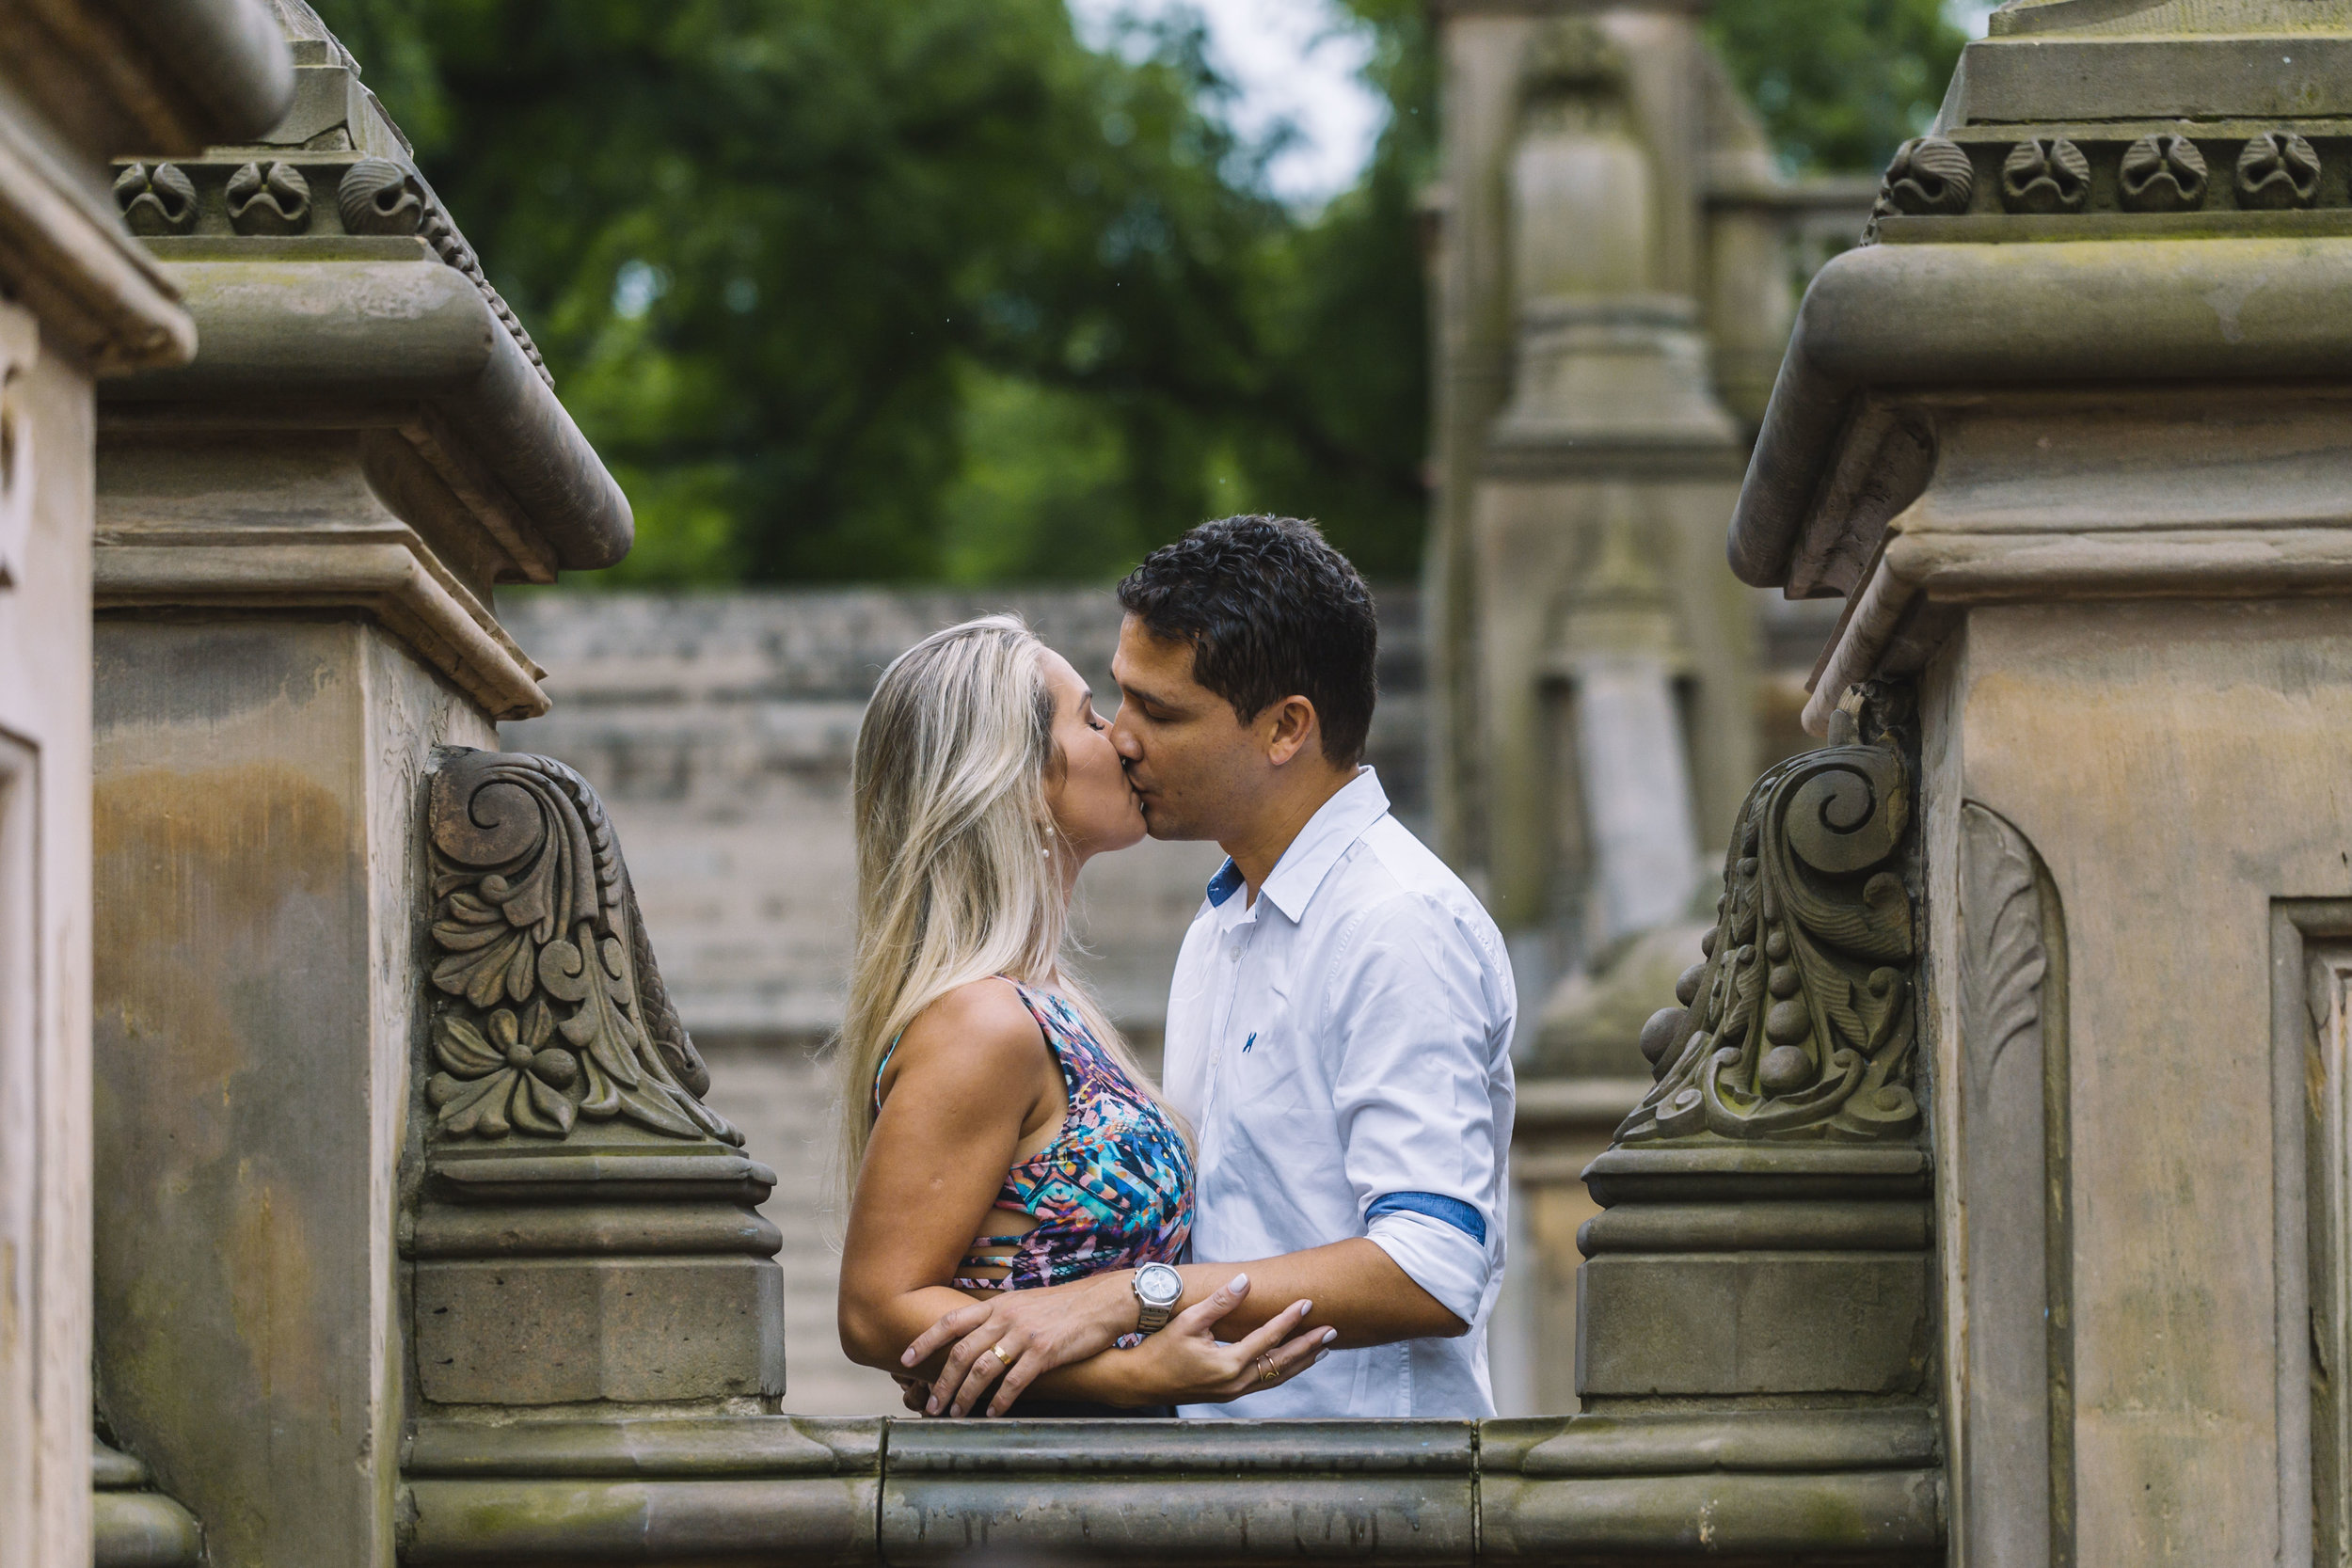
{"x": 1840, "y": 83}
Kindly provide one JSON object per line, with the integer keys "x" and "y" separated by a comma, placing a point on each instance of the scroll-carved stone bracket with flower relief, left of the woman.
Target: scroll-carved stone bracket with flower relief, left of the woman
{"x": 589, "y": 1226}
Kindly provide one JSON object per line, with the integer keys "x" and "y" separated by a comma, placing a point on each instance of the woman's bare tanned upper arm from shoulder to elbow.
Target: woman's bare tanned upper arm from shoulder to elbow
{"x": 965, "y": 1090}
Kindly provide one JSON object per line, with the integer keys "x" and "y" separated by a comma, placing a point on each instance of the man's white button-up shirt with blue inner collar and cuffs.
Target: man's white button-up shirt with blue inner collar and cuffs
{"x": 1342, "y": 1050}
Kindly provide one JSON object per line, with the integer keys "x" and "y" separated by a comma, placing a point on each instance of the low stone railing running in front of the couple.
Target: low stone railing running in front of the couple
{"x": 1749, "y": 1485}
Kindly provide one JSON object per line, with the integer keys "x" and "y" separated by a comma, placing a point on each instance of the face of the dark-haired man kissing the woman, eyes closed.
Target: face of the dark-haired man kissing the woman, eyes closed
{"x": 1194, "y": 763}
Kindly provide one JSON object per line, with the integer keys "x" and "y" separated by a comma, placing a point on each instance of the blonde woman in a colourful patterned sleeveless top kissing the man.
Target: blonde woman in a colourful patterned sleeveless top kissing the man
{"x": 996, "y": 1132}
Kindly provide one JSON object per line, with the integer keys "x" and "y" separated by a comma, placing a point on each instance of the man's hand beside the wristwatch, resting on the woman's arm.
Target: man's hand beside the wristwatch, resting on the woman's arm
{"x": 1036, "y": 1329}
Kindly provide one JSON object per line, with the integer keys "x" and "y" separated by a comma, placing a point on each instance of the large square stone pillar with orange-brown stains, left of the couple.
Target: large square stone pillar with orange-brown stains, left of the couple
{"x": 300, "y": 537}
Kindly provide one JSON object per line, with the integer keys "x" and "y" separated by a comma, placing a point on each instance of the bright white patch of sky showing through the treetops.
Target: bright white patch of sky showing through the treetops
{"x": 1290, "y": 60}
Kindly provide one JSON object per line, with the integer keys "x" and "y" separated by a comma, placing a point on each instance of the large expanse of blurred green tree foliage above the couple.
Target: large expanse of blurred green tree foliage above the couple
{"x": 911, "y": 288}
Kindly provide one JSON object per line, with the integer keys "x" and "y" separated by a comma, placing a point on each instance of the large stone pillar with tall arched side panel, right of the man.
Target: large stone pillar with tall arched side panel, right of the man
{"x": 2073, "y": 441}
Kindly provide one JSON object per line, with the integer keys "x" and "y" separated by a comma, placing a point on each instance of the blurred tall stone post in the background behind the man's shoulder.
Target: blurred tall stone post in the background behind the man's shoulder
{"x": 1612, "y": 288}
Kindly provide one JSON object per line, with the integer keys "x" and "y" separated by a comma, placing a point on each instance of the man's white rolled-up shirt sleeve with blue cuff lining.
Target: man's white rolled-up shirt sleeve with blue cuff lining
{"x": 1415, "y": 1012}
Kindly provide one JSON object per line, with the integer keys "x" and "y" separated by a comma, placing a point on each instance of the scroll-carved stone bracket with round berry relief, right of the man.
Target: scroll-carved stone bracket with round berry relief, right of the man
{"x": 1765, "y": 1231}
